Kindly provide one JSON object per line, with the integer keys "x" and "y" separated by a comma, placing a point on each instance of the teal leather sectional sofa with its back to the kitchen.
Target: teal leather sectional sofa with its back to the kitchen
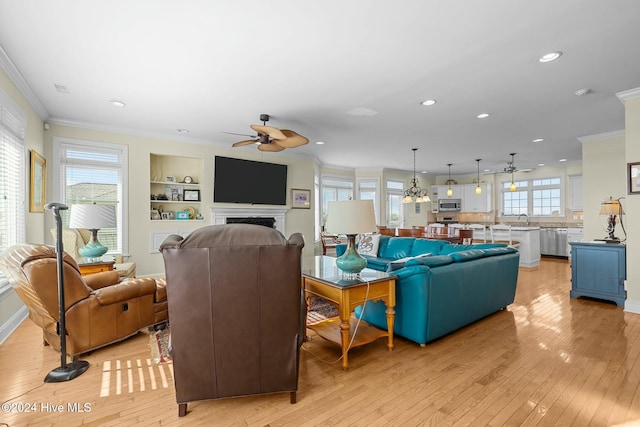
{"x": 454, "y": 286}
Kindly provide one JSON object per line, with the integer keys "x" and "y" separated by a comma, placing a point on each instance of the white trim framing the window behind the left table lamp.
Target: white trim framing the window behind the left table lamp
{"x": 58, "y": 141}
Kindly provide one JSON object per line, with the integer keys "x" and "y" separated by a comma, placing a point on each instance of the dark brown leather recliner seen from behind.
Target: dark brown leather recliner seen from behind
{"x": 237, "y": 319}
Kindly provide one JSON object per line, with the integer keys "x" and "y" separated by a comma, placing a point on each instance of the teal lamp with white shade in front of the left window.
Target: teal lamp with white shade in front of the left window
{"x": 92, "y": 217}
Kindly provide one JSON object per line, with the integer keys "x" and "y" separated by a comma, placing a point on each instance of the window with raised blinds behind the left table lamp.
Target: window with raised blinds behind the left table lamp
{"x": 91, "y": 172}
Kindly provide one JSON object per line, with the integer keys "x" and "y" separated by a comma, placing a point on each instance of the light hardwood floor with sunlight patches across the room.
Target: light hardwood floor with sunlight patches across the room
{"x": 546, "y": 360}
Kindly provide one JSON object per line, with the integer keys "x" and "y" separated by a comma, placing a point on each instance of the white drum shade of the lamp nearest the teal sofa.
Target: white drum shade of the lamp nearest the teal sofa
{"x": 351, "y": 217}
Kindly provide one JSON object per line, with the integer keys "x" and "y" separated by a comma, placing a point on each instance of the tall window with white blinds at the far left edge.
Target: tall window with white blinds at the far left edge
{"x": 12, "y": 173}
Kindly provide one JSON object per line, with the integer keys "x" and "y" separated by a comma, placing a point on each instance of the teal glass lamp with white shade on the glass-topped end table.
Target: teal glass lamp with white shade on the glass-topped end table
{"x": 351, "y": 217}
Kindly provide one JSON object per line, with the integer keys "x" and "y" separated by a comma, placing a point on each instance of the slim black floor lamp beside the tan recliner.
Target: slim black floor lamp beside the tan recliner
{"x": 66, "y": 371}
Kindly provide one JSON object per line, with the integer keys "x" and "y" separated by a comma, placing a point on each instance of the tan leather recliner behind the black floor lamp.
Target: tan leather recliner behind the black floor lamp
{"x": 100, "y": 309}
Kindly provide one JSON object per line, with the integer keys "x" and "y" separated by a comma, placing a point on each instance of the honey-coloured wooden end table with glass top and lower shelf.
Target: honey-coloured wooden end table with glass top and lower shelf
{"x": 325, "y": 280}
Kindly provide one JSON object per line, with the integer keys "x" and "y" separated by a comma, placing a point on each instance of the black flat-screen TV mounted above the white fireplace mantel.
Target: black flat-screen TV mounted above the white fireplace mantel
{"x": 248, "y": 181}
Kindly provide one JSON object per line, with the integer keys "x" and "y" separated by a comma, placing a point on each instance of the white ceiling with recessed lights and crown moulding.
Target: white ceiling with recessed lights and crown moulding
{"x": 214, "y": 66}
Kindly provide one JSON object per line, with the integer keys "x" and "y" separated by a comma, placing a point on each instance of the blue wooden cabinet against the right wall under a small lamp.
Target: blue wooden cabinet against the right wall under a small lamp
{"x": 598, "y": 271}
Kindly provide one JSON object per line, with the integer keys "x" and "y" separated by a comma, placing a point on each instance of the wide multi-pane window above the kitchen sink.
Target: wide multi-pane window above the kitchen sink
{"x": 536, "y": 197}
